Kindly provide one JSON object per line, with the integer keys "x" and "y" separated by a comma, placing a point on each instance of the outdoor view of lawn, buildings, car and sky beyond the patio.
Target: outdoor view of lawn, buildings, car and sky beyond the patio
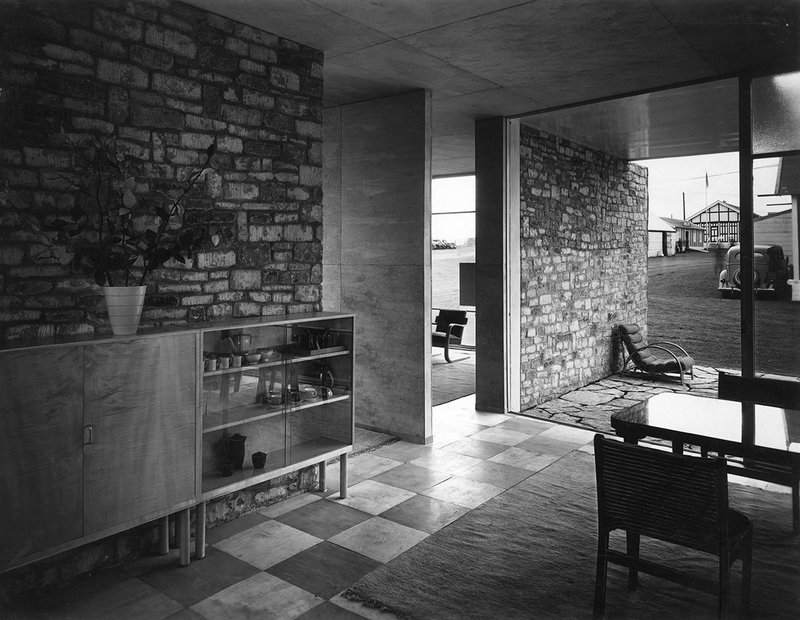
{"x": 692, "y": 298}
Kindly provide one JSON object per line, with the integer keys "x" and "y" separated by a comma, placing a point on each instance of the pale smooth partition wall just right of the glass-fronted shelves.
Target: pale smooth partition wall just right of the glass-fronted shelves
{"x": 377, "y": 254}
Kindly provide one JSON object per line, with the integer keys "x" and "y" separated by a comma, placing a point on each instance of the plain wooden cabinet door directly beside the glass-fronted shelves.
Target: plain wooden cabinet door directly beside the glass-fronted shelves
{"x": 140, "y": 401}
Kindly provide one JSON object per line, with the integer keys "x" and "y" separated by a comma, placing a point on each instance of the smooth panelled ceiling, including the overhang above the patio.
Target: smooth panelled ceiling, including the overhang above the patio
{"x": 483, "y": 58}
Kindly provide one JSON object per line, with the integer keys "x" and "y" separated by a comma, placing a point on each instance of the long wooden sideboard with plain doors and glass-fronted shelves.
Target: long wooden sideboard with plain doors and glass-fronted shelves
{"x": 104, "y": 434}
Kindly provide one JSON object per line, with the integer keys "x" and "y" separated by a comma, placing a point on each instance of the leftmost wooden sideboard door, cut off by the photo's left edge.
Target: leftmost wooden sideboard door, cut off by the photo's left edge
{"x": 41, "y": 413}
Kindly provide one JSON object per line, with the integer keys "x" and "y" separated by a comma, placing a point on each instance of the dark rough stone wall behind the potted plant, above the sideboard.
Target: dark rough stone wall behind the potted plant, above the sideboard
{"x": 168, "y": 78}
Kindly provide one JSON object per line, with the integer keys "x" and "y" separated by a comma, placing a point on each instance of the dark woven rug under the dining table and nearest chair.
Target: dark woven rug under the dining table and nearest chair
{"x": 530, "y": 553}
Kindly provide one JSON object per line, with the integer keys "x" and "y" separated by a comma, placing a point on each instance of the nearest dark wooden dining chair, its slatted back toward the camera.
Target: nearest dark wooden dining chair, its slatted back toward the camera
{"x": 678, "y": 499}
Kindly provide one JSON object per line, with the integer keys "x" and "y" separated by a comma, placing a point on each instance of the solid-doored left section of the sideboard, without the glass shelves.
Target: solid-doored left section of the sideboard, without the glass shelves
{"x": 95, "y": 438}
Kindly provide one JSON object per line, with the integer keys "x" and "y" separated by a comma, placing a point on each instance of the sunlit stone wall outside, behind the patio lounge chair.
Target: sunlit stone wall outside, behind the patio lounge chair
{"x": 583, "y": 262}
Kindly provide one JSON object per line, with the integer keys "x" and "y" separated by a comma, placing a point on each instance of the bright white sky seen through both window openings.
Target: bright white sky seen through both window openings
{"x": 669, "y": 179}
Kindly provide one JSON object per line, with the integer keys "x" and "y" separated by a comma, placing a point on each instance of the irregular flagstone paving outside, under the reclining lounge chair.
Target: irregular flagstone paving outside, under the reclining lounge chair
{"x": 591, "y": 406}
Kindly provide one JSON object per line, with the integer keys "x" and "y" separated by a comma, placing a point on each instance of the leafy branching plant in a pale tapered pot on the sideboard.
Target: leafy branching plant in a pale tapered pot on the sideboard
{"x": 109, "y": 236}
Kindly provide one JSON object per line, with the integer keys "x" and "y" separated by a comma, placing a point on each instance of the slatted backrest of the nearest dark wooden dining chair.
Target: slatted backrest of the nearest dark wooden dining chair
{"x": 675, "y": 498}
